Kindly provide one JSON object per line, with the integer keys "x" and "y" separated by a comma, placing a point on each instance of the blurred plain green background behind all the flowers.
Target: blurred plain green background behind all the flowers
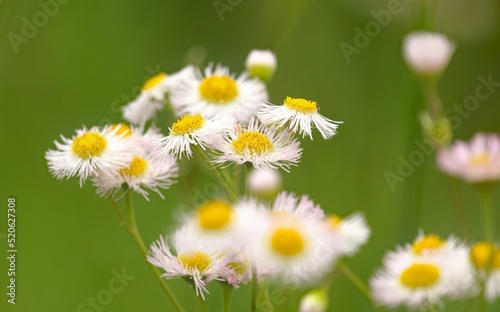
{"x": 88, "y": 58}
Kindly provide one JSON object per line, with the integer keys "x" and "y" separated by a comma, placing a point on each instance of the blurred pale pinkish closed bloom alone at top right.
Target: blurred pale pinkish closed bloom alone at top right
{"x": 427, "y": 53}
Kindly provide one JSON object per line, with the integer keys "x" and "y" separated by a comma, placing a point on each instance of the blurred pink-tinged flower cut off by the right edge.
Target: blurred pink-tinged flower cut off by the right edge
{"x": 476, "y": 161}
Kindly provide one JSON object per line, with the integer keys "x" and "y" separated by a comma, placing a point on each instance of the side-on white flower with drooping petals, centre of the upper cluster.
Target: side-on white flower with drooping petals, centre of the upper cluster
{"x": 196, "y": 130}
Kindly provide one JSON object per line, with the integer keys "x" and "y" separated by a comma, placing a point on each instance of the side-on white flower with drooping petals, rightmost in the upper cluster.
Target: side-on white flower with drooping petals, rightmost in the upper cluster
{"x": 301, "y": 115}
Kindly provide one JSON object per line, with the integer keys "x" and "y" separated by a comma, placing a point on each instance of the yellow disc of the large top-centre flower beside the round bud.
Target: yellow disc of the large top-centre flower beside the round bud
{"x": 218, "y": 89}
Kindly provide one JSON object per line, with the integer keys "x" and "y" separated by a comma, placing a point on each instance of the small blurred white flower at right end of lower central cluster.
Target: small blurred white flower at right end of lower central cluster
{"x": 347, "y": 235}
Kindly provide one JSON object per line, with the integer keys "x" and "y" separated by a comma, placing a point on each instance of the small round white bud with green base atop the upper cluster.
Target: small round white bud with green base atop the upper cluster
{"x": 261, "y": 64}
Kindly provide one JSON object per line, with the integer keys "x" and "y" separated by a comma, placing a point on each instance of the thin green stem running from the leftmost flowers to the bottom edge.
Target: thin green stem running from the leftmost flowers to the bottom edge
{"x": 140, "y": 243}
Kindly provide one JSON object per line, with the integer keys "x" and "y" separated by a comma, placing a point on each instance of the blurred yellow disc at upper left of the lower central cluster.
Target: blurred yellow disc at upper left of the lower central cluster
{"x": 214, "y": 214}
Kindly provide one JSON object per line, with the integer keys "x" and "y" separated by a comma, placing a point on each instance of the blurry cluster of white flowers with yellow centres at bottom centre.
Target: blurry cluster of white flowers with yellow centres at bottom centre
{"x": 290, "y": 240}
